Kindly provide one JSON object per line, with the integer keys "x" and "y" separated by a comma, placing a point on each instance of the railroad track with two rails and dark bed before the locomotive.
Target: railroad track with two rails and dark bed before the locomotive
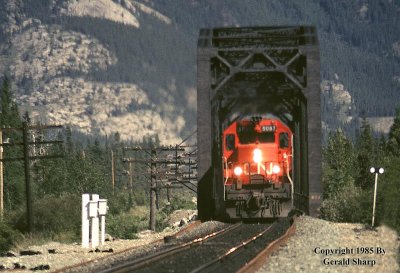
{"x": 227, "y": 250}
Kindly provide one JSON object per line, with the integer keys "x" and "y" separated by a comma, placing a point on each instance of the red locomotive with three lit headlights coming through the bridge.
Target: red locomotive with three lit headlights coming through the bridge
{"x": 257, "y": 168}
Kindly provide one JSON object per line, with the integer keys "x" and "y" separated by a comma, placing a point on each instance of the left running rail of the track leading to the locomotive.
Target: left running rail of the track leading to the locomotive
{"x": 143, "y": 261}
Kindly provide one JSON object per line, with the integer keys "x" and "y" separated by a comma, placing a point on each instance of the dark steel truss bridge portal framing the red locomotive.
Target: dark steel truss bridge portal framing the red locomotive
{"x": 256, "y": 71}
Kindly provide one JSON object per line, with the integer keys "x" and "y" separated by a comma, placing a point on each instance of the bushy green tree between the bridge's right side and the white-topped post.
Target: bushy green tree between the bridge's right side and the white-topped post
{"x": 344, "y": 201}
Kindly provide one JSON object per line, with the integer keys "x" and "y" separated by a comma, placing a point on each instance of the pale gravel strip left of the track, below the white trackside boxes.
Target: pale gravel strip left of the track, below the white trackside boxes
{"x": 67, "y": 255}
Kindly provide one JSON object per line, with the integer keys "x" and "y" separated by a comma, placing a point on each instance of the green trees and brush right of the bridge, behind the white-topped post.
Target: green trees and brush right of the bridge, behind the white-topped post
{"x": 348, "y": 185}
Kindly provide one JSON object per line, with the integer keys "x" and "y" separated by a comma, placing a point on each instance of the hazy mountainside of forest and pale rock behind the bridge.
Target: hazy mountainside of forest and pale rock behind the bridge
{"x": 130, "y": 66}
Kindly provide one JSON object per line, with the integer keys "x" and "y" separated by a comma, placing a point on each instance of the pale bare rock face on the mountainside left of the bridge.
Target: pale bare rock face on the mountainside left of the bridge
{"x": 50, "y": 66}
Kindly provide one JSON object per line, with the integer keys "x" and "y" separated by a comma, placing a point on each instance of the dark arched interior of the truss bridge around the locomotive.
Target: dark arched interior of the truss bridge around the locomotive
{"x": 266, "y": 94}
